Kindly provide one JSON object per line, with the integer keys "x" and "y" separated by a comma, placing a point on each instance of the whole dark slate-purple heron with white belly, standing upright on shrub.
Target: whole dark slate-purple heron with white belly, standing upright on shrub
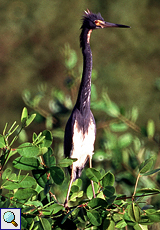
{"x": 80, "y": 130}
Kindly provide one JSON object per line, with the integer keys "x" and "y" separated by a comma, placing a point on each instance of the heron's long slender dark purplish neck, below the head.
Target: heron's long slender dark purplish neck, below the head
{"x": 83, "y": 99}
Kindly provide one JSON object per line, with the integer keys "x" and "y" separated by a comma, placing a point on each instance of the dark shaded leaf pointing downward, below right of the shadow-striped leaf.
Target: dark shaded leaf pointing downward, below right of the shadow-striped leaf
{"x": 40, "y": 176}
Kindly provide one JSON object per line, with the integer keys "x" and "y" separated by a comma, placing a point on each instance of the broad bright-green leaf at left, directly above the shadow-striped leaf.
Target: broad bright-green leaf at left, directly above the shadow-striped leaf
{"x": 28, "y": 150}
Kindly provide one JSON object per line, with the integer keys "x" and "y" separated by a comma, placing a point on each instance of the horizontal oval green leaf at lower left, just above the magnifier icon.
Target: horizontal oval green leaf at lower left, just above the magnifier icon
{"x": 25, "y": 193}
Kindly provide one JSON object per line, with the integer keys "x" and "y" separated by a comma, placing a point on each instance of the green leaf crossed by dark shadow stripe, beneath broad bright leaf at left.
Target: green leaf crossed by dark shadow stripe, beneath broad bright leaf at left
{"x": 26, "y": 163}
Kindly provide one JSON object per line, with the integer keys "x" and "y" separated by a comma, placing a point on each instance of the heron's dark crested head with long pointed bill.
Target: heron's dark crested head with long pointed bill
{"x": 95, "y": 21}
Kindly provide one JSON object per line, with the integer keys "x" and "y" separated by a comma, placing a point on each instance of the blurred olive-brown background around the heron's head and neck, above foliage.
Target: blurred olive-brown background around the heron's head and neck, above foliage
{"x": 34, "y": 32}
